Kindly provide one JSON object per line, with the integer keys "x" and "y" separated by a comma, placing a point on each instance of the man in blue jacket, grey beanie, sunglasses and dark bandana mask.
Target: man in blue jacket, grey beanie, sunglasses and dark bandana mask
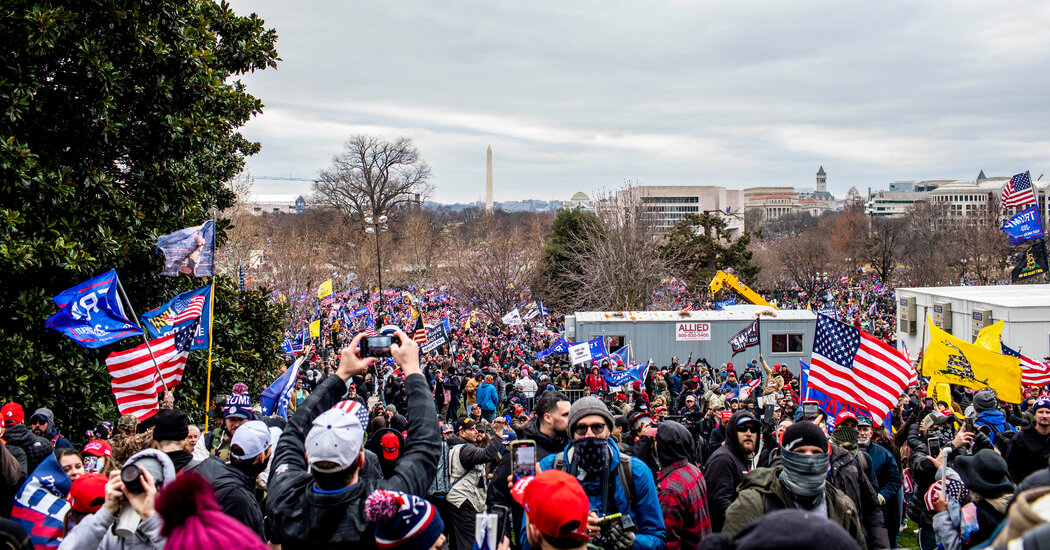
{"x": 615, "y": 483}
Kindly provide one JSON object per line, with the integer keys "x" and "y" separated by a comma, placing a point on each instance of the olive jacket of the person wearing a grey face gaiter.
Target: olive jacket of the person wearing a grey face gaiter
{"x": 763, "y": 493}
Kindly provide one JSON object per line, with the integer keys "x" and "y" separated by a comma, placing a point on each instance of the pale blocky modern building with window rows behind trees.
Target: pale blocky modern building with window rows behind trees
{"x": 670, "y": 204}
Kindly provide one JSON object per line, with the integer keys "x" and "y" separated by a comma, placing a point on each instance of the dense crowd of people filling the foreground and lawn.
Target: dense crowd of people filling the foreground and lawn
{"x": 407, "y": 453}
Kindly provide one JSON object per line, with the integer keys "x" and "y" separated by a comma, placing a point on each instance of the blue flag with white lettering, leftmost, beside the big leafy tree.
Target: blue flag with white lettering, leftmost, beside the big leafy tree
{"x": 92, "y": 313}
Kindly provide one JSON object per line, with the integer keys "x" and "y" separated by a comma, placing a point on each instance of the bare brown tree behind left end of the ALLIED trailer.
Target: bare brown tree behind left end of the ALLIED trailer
{"x": 622, "y": 266}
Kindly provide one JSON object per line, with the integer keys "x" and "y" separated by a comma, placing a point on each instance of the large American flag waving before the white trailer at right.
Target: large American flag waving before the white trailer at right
{"x": 858, "y": 368}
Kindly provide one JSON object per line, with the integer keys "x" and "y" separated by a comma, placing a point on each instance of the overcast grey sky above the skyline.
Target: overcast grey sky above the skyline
{"x": 582, "y": 96}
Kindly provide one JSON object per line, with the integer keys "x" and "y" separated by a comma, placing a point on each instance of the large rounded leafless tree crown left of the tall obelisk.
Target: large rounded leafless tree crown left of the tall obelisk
{"x": 374, "y": 177}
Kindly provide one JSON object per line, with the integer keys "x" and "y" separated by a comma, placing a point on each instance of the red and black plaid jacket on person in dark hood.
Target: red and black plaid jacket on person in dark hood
{"x": 684, "y": 500}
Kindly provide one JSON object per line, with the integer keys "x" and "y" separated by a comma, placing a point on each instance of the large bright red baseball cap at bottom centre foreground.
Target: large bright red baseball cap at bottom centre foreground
{"x": 556, "y": 504}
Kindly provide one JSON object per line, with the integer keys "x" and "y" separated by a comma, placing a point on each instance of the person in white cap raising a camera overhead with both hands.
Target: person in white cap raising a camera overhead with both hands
{"x": 317, "y": 497}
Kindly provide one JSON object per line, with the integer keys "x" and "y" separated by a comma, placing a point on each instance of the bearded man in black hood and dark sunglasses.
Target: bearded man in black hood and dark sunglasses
{"x": 731, "y": 462}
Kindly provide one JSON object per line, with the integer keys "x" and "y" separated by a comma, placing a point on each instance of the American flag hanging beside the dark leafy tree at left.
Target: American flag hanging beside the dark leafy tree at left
{"x": 136, "y": 384}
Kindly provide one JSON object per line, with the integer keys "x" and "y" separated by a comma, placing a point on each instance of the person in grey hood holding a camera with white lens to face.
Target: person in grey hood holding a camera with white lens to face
{"x": 131, "y": 497}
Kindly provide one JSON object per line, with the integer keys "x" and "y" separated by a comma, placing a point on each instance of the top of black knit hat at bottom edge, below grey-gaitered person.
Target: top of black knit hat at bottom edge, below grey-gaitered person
{"x": 785, "y": 531}
